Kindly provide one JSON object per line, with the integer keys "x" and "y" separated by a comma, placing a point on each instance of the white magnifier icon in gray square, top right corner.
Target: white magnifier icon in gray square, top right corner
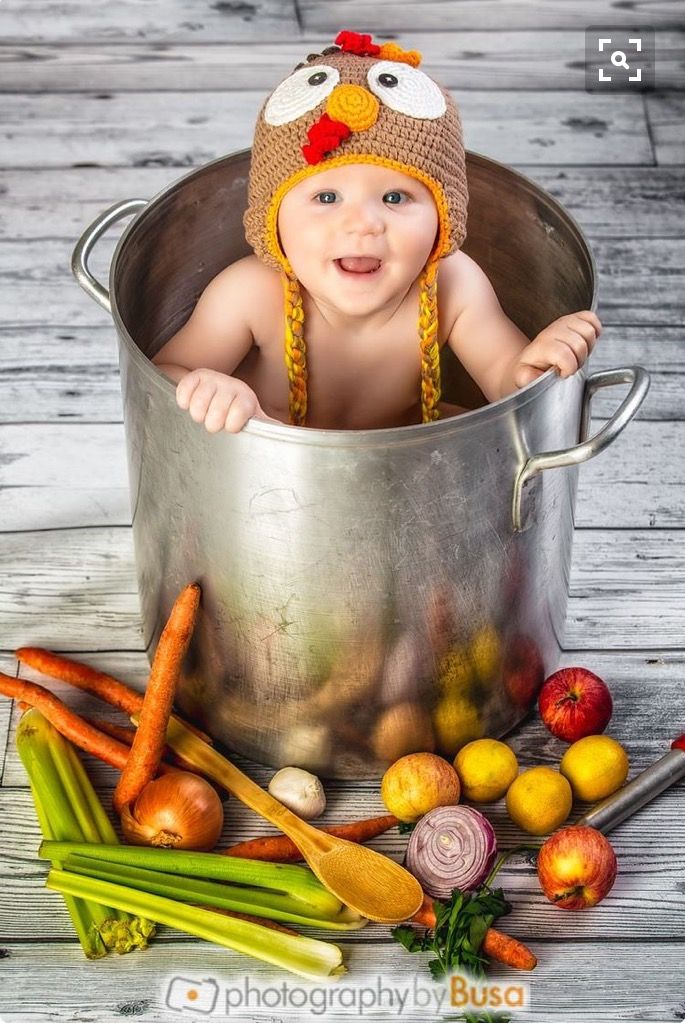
{"x": 619, "y": 60}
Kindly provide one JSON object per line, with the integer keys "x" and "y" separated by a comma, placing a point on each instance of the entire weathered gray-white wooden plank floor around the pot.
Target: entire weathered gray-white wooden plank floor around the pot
{"x": 106, "y": 102}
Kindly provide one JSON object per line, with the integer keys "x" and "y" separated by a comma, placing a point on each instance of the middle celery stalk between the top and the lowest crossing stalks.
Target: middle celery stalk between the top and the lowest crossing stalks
{"x": 257, "y": 903}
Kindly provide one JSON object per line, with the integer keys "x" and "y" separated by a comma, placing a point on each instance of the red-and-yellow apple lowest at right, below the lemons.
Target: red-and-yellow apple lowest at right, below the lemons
{"x": 577, "y": 868}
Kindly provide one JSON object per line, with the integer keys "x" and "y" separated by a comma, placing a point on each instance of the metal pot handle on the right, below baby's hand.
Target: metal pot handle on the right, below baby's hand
{"x": 638, "y": 378}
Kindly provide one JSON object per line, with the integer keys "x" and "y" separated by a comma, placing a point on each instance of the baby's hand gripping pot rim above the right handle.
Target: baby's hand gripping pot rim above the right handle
{"x": 566, "y": 344}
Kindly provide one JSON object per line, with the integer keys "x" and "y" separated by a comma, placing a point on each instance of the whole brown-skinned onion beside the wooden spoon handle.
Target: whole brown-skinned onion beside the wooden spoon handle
{"x": 179, "y": 811}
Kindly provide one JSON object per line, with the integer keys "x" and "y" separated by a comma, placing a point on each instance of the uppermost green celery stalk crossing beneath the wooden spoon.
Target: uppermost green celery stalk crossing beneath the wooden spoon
{"x": 298, "y": 882}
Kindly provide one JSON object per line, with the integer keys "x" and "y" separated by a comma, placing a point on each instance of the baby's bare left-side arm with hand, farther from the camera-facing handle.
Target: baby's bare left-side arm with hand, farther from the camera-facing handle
{"x": 202, "y": 355}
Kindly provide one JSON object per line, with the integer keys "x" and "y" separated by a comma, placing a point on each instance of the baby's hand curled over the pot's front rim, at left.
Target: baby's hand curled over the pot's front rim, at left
{"x": 219, "y": 402}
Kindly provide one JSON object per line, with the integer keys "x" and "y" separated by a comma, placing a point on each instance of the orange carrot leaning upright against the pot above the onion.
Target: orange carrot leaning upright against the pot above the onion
{"x": 151, "y": 739}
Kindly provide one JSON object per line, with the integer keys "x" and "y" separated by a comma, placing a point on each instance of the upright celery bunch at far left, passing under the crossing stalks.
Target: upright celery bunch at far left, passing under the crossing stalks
{"x": 68, "y": 809}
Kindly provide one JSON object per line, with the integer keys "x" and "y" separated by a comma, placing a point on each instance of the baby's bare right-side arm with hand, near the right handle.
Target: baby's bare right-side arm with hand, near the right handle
{"x": 497, "y": 354}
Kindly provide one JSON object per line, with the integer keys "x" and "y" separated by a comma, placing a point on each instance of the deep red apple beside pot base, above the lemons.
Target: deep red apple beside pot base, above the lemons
{"x": 575, "y": 703}
